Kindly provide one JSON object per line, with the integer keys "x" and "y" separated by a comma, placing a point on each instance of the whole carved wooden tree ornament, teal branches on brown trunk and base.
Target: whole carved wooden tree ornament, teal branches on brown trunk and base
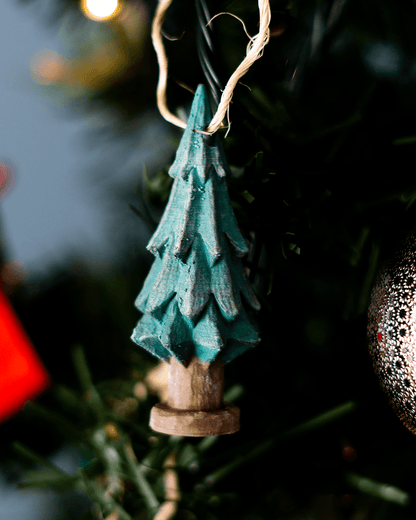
{"x": 197, "y": 301}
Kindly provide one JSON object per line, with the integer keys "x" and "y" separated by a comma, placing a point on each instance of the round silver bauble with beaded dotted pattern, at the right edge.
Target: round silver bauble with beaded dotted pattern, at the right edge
{"x": 392, "y": 331}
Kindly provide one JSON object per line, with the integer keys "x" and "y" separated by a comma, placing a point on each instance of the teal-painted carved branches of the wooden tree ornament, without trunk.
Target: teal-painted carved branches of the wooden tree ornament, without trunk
{"x": 197, "y": 298}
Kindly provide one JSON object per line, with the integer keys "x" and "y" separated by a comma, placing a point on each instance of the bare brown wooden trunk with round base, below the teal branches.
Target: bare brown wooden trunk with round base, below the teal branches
{"x": 195, "y": 406}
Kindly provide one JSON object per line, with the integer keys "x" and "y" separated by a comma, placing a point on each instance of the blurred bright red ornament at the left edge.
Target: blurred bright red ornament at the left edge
{"x": 22, "y": 375}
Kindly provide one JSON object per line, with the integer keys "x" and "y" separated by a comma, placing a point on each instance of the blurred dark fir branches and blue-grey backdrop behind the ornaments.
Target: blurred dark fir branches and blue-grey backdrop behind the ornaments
{"x": 321, "y": 150}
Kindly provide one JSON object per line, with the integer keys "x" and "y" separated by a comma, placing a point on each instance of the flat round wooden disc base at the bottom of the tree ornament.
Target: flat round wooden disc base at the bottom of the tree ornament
{"x": 191, "y": 423}
